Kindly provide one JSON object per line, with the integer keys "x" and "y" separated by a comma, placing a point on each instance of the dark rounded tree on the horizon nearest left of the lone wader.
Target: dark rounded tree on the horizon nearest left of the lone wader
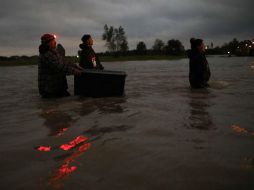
{"x": 174, "y": 47}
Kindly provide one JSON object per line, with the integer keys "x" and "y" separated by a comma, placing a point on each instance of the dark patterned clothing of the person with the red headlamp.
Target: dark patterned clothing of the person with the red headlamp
{"x": 52, "y": 71}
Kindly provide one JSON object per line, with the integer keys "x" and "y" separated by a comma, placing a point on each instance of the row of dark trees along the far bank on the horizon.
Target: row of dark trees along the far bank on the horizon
{"x": 117, "y": 44}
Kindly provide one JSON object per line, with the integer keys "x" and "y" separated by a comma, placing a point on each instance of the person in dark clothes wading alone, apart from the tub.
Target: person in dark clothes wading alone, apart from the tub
{"x": 199, "y": 71}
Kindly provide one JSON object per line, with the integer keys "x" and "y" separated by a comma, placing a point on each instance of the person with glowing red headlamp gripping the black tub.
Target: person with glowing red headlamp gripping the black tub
{"x": 52, "y": 70}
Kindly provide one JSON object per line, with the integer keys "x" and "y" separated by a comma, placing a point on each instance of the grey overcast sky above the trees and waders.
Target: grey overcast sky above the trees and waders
{"x": 22, "y": 22}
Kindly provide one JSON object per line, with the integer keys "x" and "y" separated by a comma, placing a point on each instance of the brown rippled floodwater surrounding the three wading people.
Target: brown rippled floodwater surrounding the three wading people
{"x": 160, "y": 135}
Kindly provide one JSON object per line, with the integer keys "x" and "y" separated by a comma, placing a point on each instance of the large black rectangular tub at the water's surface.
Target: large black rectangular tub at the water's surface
{"x": 99, "y": 83}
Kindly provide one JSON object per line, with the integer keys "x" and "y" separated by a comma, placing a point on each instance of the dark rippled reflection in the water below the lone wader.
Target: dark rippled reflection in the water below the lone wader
{"x": 199, "y": 117}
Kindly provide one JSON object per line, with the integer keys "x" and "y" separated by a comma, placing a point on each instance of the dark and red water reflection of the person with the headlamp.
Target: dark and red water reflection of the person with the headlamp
{"x": 58, "y": 120}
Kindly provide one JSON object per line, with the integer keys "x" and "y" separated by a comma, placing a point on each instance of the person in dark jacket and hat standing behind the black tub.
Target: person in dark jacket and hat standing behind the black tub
{"x": 87, "y": 57}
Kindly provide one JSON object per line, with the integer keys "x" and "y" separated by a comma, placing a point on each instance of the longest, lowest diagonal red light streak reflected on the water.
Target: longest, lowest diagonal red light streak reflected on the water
{"x": 65, "y": 169}
